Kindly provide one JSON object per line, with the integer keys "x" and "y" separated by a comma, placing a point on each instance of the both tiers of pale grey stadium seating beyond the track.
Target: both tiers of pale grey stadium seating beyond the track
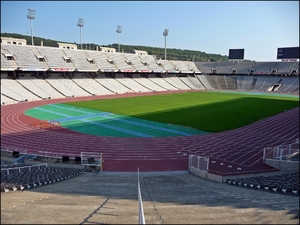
{"x": 101, "y": 65}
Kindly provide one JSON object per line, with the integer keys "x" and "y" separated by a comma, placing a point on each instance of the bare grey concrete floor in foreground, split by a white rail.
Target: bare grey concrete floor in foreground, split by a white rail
{"x": 168, "y": 198}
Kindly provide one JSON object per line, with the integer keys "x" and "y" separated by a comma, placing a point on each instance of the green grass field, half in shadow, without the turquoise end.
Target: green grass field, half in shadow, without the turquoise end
{"x": 207, "y": 111}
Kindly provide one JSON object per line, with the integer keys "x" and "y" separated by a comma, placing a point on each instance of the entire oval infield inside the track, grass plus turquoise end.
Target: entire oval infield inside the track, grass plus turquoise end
{"x": 181, "y": 114}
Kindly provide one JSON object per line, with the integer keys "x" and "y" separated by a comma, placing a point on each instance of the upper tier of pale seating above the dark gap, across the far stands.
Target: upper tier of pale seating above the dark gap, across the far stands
{"x": 39, "y": 58}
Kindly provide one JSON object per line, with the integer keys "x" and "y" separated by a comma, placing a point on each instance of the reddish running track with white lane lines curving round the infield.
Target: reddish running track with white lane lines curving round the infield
{"x": 237, "y": 151}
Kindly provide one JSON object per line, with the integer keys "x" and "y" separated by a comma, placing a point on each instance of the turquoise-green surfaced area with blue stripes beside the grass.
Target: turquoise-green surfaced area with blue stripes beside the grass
{"x": 95, "y": 122}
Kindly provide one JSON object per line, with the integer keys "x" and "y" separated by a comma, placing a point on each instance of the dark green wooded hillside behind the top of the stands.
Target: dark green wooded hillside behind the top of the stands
{"x": 172, "y": 54}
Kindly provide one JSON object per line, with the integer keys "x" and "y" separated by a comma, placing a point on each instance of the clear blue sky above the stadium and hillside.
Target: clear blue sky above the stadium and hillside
{"x": 259, "y": 27}
